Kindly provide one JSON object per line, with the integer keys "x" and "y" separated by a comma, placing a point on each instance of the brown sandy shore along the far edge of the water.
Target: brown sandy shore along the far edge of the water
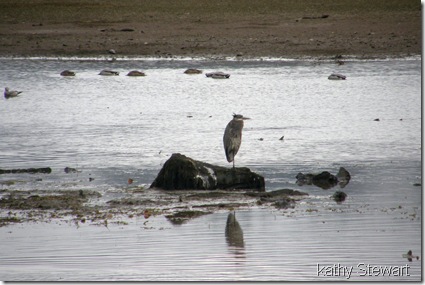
{"x": 192, "y": 28}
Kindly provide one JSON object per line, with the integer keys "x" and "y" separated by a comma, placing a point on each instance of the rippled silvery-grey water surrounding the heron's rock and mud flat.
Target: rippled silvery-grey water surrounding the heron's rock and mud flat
{"x": 115, "y": 128}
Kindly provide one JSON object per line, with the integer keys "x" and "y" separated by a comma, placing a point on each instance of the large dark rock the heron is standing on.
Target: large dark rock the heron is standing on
{"x": 184, "y": 173}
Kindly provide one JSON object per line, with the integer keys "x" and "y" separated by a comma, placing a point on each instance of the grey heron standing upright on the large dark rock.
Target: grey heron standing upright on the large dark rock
{"x": 233, "y": 137}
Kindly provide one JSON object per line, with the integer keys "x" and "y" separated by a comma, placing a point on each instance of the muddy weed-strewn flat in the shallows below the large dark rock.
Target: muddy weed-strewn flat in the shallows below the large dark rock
{"x": 90, "y": 206}
